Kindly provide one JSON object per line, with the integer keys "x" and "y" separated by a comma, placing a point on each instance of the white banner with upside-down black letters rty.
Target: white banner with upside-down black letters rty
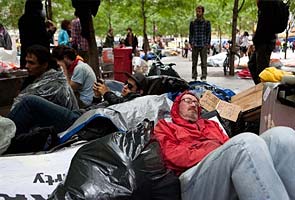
{"x": 33, "y": 176}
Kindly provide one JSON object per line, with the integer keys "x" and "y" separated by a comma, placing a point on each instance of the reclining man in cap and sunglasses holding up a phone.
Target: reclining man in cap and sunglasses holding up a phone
{"x": 34, "y": 111}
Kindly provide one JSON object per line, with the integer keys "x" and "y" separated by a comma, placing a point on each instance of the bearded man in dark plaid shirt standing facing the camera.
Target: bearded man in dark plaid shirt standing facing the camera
{"x": 199, "y": 39}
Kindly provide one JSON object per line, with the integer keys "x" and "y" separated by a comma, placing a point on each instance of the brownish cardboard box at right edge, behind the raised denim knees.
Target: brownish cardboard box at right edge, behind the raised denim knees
{"x": 273, "y": 111}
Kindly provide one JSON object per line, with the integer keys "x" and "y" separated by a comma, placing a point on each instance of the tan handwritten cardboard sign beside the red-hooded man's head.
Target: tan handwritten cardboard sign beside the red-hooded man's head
{"x": 226, "y": 110}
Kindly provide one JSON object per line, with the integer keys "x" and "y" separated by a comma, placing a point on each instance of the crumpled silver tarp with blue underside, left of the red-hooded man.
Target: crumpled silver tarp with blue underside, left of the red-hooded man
{"x": 124, "y": 115}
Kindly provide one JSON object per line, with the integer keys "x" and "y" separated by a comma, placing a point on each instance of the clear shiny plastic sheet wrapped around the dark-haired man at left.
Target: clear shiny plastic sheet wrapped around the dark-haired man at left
{"x": 53, "y": 86}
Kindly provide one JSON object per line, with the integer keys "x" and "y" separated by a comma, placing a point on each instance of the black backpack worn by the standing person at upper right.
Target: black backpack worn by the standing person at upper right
{"x": 281, "y": 17}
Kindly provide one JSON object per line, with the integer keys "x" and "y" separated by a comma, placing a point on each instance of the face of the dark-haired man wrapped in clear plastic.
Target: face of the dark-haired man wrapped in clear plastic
{"x": 34, "y": 67}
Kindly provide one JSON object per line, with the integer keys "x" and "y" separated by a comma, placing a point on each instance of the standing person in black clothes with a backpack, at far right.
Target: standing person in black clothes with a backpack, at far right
{"x": 264, "y": 39}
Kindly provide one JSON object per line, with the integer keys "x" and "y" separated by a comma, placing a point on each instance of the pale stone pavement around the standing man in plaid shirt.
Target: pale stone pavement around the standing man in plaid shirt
{"x": 215, "y": 74}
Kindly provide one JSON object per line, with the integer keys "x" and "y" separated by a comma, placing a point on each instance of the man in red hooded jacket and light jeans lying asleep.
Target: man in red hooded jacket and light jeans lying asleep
{"x": 246, "y": 166}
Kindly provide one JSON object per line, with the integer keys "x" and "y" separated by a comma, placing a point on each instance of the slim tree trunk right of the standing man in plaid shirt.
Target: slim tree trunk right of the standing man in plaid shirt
{"x": 233, "y": 46}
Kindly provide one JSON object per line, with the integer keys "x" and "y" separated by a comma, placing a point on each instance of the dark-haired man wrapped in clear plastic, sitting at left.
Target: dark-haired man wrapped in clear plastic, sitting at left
{"x": 45, "y": 80}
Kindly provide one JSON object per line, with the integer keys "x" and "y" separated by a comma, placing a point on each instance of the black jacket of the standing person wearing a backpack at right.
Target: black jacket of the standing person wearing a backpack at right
{"x": 264, "y": 33}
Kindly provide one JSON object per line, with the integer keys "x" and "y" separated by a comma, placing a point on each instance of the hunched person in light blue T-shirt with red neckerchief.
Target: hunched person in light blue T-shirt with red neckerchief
{"x": 80, "y": 75}
